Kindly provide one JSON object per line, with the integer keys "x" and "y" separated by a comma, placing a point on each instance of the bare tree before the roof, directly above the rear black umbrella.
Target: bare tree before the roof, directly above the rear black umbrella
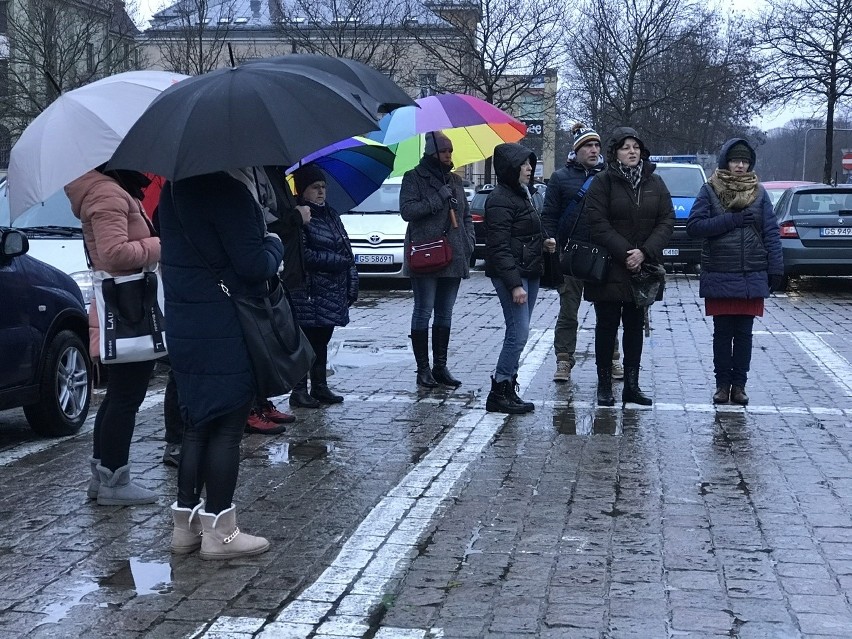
{"x": 369, "y": 31}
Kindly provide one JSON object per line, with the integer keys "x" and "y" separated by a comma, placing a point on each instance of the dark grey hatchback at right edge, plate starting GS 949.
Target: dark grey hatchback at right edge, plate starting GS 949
{"x": 816, "y": 229}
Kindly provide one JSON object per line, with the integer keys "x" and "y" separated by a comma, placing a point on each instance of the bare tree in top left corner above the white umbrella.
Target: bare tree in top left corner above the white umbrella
{"x": 57, "y": 46}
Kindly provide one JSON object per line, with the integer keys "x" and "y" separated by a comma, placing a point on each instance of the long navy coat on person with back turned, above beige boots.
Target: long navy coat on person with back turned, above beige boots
{"x": 206, "y": 346}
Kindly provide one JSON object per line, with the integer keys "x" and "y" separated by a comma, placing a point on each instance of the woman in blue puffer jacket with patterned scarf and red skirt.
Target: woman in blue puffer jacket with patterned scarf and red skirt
{"x": 741, "y": 262}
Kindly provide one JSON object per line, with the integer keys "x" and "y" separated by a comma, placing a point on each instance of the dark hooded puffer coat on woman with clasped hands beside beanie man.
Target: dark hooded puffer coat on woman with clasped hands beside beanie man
{"x": 622, "y": 219}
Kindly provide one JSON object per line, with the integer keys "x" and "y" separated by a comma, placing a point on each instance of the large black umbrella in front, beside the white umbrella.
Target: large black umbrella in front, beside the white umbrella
{"x": 250, "y": 115}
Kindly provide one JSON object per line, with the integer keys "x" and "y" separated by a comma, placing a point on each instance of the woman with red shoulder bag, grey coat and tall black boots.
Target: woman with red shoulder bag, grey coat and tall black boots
{"x": 432, "y": 201}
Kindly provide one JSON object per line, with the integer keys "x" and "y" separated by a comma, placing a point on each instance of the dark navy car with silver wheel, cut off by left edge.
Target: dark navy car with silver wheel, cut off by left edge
{"x": 44, "y": 335}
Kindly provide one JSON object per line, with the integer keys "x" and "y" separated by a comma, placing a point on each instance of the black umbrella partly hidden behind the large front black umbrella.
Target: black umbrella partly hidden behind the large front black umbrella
{"x": 380, "y": 93}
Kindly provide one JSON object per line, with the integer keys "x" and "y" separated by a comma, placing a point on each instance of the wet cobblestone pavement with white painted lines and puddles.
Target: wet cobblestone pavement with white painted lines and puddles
{"x": 412, "y": 515}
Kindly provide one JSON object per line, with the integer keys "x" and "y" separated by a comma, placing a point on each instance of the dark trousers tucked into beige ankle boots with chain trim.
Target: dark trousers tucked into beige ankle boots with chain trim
{"x": 210, "y": 458}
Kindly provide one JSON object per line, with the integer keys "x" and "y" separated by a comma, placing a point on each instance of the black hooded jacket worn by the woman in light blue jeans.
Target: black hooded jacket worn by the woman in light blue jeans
{"x": 514, "y": 234}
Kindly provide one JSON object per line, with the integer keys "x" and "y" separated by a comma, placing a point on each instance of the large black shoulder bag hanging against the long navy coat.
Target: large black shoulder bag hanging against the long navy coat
{"x": 280, "y": 353}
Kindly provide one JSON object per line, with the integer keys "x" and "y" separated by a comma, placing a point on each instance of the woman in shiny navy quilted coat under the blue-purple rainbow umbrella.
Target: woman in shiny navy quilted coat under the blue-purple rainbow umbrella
{"x": 331, "y": 284}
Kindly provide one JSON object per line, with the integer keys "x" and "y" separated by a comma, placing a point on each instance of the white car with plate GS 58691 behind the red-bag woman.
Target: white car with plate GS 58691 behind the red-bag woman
{"x": 377, "y": 232}
